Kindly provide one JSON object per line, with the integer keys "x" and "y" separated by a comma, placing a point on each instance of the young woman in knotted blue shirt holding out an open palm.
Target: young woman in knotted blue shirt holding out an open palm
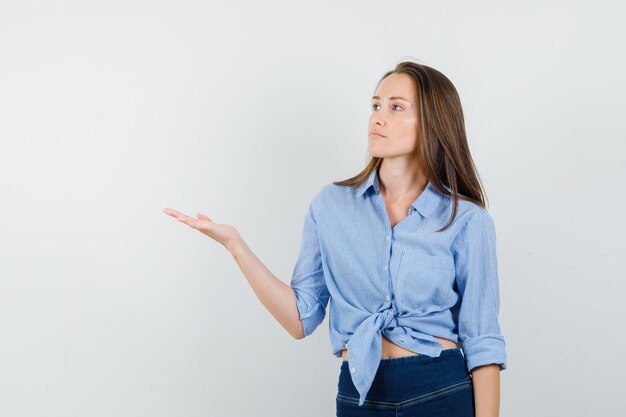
{"x": 405, "y": 253}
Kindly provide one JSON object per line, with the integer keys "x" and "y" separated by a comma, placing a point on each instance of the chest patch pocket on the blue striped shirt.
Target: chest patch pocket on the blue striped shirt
{"x": 424, "y": 282}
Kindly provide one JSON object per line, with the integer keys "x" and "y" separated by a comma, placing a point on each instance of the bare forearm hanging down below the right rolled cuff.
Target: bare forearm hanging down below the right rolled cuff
{"x": 486, "y": 382}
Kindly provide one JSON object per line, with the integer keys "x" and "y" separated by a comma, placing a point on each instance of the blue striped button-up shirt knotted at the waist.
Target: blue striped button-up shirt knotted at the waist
{"x": 407, "y": 282}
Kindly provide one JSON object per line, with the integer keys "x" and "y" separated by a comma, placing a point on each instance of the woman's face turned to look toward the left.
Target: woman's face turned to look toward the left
{"x": 393, "y": 115}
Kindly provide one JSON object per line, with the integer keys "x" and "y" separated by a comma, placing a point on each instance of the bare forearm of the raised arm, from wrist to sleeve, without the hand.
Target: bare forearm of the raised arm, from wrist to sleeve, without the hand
{"x": 278, "y": 297}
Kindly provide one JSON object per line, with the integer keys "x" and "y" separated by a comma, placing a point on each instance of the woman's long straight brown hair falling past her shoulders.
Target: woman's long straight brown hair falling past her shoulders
{"x": 442, "y": 148}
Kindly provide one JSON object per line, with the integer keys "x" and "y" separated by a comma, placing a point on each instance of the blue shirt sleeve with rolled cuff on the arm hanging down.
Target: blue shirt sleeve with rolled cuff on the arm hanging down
{"x": 474, "y": 250}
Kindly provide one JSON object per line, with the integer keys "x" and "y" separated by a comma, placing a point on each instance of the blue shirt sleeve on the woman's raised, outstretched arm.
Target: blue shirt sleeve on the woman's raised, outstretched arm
{"x": 307, "y": 279}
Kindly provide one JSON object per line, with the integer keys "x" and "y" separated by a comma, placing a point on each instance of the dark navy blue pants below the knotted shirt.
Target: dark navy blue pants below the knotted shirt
{"x": 412, "y": 386}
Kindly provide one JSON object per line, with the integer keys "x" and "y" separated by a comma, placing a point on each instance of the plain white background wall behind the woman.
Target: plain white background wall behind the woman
{"x": 111, "y": 111}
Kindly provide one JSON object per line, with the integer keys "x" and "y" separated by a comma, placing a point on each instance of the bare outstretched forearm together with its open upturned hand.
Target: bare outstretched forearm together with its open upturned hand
{"x": 278, "y": 297}
